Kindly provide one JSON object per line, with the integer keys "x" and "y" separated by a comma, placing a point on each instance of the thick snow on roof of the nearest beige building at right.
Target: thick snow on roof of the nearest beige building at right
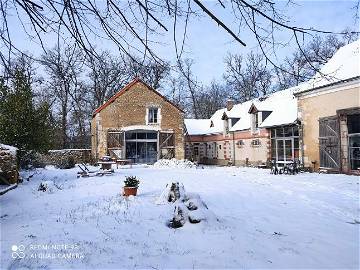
{"x": 343, "y": 65}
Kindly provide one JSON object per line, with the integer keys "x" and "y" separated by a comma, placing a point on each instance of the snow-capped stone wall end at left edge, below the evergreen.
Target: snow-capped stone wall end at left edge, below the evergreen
{"x": 9, "y": 173}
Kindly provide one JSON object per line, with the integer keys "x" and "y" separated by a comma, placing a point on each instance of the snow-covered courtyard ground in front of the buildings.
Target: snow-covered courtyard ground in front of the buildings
{"x": 255, "y": 220}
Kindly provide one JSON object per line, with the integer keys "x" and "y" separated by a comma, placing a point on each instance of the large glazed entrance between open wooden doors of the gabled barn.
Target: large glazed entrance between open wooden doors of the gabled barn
{"x": 141, "y": 146}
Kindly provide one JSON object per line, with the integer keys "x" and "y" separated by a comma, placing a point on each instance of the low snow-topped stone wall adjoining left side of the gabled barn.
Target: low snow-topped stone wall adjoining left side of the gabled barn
{"x": 55, "y": 157}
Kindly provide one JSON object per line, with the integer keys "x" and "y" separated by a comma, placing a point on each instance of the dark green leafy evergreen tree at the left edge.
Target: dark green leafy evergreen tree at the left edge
{"x": 22, "y": 124}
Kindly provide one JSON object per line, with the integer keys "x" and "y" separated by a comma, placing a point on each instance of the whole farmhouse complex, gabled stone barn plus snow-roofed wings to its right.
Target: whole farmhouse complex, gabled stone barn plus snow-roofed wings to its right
{"x": 315, "y": 123}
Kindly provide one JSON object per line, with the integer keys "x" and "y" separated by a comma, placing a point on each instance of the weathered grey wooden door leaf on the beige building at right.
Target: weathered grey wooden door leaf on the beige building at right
{"x": 329, "y": 143}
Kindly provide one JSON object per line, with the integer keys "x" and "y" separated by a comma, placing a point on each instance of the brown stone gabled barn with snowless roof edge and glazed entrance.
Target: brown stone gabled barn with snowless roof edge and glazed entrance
{"x": 138, "y": 123}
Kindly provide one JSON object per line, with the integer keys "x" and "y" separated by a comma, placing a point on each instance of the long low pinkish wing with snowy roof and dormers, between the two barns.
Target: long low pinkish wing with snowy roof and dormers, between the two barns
{"x": 249, "y": 133}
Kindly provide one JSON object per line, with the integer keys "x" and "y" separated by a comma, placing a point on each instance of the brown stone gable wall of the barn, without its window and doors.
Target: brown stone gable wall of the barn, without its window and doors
{"x": 129, "y": 109}
